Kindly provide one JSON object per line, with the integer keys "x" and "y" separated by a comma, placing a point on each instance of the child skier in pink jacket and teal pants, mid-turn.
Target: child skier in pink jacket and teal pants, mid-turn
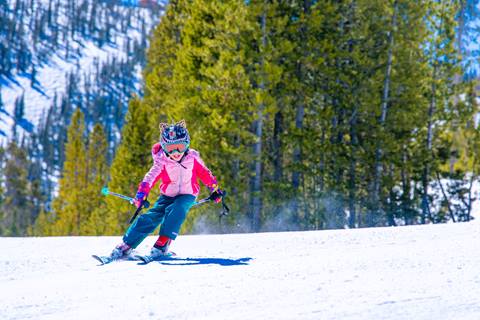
{"x": 178, "y": 167}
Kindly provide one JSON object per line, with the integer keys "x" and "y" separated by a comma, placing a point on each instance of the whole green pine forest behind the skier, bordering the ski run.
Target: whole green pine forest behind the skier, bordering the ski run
{"x": 312, "y": 115}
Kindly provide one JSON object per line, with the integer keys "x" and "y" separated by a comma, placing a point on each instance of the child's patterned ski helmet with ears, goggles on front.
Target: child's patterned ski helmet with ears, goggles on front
{"x": 174, "y": 137}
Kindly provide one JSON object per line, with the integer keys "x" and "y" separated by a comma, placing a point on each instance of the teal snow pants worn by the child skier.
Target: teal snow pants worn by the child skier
{"x": 168, "y": 211}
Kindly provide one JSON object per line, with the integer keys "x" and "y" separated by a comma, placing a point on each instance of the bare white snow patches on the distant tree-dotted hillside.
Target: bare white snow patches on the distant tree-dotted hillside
{"x": 51, "y": 77}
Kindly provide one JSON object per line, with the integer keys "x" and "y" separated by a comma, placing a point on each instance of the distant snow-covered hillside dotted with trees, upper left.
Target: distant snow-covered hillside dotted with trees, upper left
{"x": 46, "y": 76}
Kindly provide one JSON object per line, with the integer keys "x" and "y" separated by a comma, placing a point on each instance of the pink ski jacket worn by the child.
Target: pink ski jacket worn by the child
{"x": 178, "y": 177}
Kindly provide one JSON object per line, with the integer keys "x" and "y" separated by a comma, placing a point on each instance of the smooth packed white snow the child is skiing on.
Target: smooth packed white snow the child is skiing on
{"x": 421, "y": 272}
